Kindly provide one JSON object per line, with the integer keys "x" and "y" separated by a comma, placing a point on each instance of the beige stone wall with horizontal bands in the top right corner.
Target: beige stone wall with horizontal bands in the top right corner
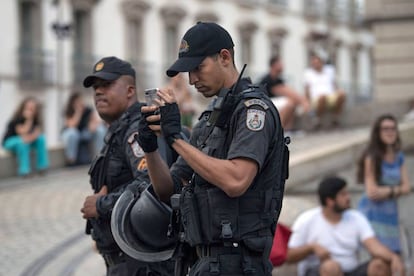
{"x": 392, "y": 23}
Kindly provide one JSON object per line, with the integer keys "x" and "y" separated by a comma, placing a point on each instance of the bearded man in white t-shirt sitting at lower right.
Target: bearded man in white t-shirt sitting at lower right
{"x": 325, "y": 240}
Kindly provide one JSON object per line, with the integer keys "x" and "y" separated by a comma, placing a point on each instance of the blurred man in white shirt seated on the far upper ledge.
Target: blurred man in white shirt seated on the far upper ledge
{"x": 321, "y": 90}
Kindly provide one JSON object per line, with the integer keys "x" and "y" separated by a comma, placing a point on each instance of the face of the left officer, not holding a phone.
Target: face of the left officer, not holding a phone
{"x": 111, "y": 98}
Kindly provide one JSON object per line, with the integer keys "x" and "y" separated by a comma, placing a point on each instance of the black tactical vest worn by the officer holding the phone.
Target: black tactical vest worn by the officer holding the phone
{"x": 254, "y": 214}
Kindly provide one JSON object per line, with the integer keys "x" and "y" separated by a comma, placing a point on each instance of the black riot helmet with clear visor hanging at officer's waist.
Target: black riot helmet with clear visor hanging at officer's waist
{"x": 139, "y": 224}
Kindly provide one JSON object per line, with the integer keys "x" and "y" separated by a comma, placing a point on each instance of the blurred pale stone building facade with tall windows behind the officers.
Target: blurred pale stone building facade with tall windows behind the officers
{"x": 48, "y": 46}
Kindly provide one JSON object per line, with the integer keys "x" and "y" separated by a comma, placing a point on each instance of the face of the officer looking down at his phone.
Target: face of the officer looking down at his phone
{"x": 208, "y": 77}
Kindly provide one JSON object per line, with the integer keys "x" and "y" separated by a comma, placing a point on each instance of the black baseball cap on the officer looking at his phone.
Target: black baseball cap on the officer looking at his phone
{"x": 200, "y": 41}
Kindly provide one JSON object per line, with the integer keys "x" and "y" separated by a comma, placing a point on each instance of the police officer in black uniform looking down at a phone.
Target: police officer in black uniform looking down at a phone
{"x": 231, "y": 175}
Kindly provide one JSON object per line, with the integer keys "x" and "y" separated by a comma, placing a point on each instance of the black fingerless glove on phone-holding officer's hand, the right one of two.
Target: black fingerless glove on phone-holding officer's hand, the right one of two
{"x": 170, "y": 122}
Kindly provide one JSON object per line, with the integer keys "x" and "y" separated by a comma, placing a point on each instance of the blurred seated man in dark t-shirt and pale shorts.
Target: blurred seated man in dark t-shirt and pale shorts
{"x": 284, "y": 98}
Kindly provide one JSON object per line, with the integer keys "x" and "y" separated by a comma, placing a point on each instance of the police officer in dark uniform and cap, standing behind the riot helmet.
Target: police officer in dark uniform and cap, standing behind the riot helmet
{"x": 120, "y": 164}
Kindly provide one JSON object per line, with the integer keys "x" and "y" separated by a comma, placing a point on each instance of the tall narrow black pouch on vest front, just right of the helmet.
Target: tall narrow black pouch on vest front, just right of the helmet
{"x": 190, "y": 218}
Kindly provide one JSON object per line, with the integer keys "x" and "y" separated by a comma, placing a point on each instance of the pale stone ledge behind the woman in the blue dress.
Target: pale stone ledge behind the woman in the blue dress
{"x": 315, "y": 155}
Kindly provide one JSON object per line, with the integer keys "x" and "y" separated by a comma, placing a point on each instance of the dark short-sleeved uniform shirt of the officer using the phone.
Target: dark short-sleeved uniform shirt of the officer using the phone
{"x": 251, "y": 133}
